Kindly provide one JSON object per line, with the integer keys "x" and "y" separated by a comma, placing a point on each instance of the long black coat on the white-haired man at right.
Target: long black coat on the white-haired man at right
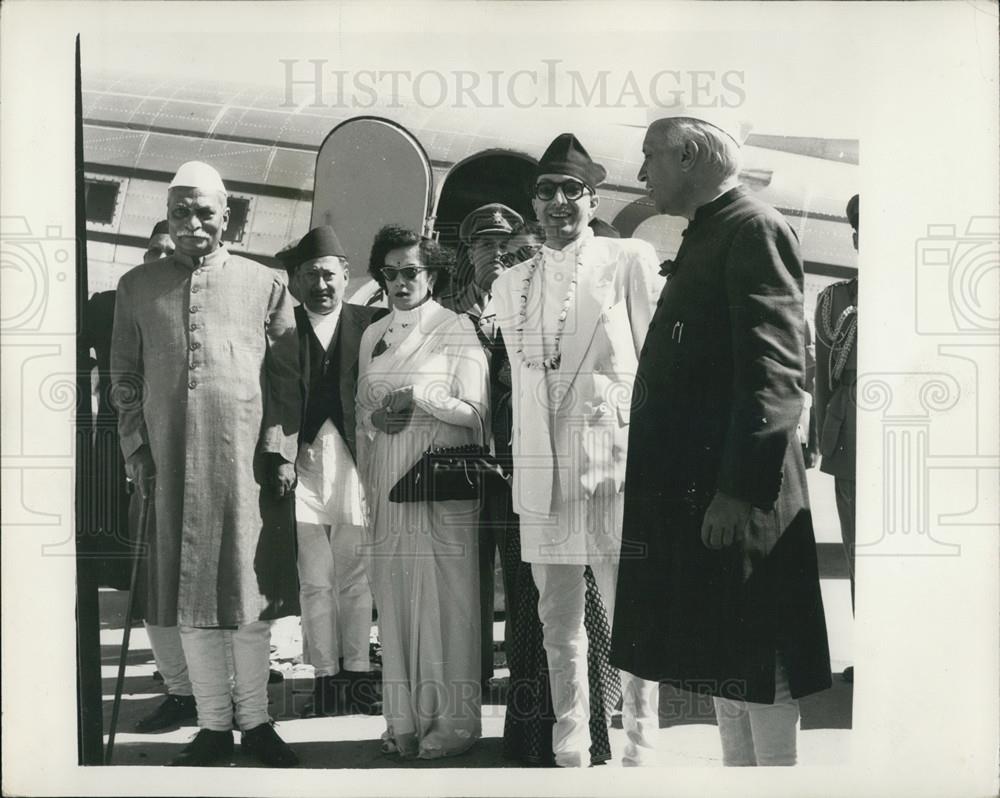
{"x": 717, "y": 399}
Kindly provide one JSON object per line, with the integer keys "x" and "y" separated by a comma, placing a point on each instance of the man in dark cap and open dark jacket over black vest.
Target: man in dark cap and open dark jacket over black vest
{"x": 334, "y": 592}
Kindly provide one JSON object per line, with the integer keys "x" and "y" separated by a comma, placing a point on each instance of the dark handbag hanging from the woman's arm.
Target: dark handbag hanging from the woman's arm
{"x": 451, "y": 473}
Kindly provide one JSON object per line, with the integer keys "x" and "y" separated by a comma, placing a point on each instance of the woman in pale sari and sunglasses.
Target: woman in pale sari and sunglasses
{"x": 422, "y": 383}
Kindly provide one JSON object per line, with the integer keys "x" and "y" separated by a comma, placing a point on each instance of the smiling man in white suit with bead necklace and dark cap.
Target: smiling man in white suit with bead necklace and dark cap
{"x": 574, "y": 318}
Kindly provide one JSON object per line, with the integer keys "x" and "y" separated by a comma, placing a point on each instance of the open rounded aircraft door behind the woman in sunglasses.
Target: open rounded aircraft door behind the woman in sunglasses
{"x": 370, "y": 172}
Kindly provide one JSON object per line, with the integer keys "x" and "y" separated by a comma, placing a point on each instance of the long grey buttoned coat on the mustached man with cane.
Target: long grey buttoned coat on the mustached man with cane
{"x": 205, "y": 372}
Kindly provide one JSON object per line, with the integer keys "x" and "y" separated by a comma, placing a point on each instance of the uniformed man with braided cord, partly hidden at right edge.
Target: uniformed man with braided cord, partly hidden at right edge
{"x": 836, "y": 396}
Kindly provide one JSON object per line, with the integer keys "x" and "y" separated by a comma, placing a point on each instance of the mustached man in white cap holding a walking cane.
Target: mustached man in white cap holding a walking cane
{"x": 205, "y": 373}
